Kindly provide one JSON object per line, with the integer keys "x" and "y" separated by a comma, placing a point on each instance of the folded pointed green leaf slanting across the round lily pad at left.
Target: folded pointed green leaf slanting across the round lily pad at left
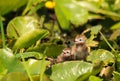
{"x": 29, "y": 38}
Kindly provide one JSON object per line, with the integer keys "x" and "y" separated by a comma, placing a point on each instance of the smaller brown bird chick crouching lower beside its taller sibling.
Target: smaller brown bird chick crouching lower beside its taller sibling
{"x": 65, "y": 55}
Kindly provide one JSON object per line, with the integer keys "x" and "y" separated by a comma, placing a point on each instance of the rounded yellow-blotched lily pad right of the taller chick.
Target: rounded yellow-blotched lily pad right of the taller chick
{"x": 101, "y": 55}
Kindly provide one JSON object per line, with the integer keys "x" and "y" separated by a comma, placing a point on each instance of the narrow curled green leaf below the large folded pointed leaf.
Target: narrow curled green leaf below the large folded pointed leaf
{"x": 37, "y": 55}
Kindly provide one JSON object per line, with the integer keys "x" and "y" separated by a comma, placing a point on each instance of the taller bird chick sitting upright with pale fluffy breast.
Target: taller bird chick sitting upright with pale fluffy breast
{"x": 79, "y": 49}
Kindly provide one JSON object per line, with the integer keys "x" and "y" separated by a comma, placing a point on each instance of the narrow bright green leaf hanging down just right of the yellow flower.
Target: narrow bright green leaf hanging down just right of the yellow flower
{"x": 64, "y": 22}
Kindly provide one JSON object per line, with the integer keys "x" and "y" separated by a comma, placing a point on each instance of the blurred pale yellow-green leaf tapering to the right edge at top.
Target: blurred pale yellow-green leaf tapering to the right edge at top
{"x": 95, "y": 7}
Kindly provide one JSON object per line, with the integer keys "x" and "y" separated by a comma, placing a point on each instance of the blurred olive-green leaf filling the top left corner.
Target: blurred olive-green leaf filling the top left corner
{"x": 7, "y": 6}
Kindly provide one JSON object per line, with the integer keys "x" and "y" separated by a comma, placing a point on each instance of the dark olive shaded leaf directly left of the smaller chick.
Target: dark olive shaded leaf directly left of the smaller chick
{"x": 53, "y": 50}
